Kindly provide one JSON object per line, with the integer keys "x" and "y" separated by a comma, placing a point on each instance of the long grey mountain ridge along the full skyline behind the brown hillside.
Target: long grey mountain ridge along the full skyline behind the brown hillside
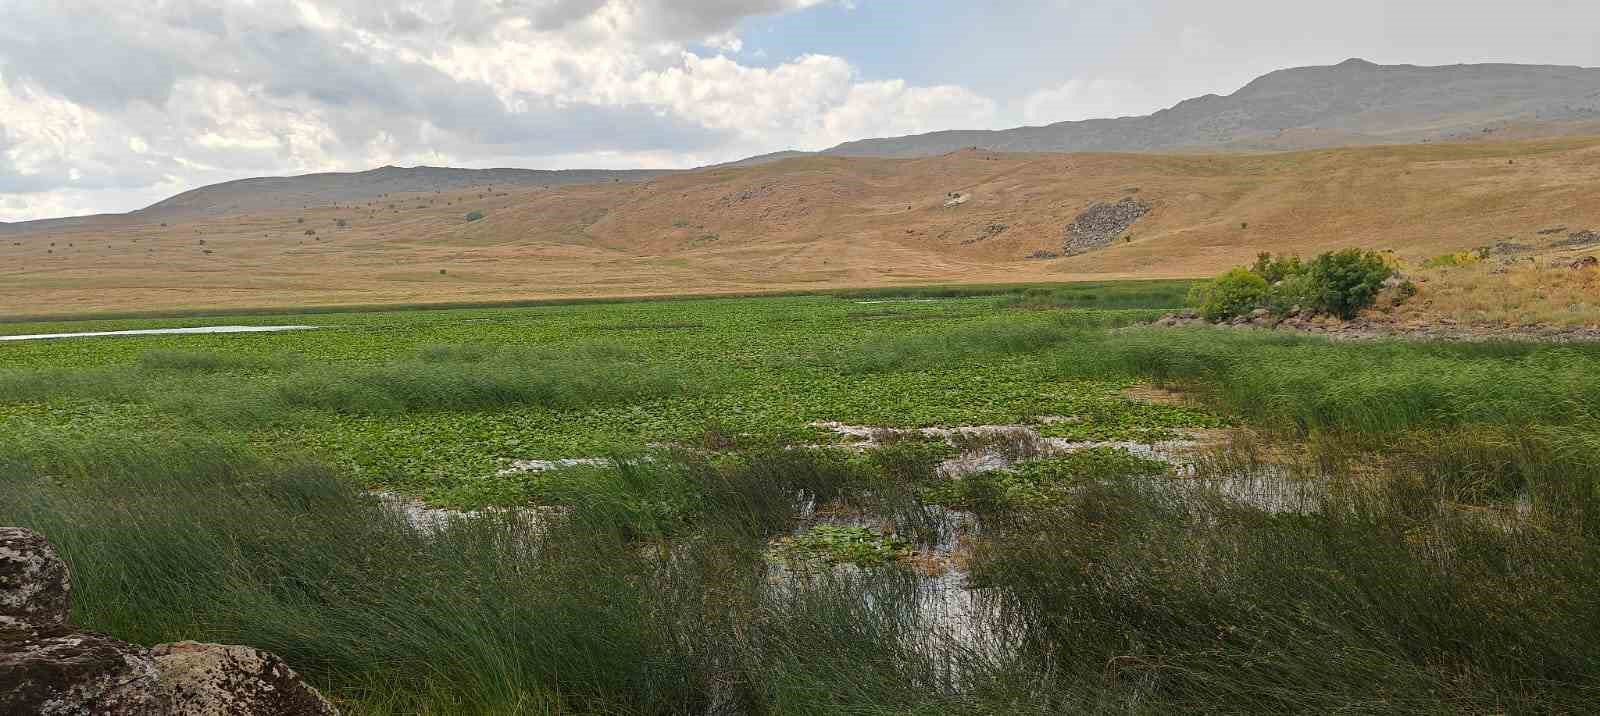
{"x": 1353, "y": 103}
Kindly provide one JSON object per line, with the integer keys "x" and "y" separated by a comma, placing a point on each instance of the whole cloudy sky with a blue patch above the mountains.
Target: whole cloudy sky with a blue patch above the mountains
{"x": 116, "y": 106}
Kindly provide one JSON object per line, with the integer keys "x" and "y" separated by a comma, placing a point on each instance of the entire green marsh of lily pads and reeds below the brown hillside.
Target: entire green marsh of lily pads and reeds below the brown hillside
{"x": 1394, "y": 528}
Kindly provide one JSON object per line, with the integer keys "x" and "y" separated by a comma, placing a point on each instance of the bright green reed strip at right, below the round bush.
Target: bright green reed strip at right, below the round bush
{"x": 1370, "y": 388}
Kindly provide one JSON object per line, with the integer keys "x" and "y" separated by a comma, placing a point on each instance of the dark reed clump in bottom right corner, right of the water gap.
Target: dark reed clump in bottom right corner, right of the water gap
{"x": 1186, "y": 600}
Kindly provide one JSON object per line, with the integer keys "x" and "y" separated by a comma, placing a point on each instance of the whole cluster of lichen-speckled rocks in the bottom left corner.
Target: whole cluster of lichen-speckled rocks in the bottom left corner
{"x": 52, "y": 669}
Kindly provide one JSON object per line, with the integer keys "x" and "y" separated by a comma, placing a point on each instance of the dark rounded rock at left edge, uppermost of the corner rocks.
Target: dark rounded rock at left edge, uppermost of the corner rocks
{"x": 34, "y": 586}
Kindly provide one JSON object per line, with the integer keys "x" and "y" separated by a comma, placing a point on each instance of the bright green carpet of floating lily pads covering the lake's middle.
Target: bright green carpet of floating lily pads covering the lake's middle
{"x": 433, "y": 402}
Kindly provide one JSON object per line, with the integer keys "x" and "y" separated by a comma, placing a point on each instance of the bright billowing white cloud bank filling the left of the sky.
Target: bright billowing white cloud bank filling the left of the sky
{"x": 164, "y": 95}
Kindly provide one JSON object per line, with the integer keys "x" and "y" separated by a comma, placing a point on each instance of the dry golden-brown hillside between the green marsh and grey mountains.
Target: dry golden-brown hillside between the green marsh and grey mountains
{"x": 815, "y": 223}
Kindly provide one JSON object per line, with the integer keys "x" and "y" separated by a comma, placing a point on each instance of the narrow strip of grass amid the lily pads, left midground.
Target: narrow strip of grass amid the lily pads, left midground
{"x": 246, "y": 391}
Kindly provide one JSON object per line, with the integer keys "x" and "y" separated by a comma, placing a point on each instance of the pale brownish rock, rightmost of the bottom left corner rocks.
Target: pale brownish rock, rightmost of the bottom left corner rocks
{"x": 206, "y": 680}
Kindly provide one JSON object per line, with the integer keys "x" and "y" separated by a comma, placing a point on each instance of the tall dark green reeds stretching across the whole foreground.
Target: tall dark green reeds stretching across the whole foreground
{"x": 1126, "y": 592}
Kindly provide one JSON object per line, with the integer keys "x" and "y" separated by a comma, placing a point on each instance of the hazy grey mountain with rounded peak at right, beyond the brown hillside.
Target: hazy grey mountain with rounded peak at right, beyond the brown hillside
{"x": 1356, "y": 101}
